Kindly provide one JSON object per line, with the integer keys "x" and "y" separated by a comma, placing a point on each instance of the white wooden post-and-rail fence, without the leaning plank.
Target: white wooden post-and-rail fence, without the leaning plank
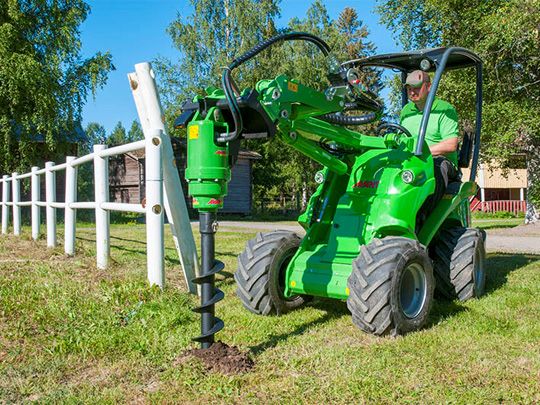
{"x": 102, "y": 206}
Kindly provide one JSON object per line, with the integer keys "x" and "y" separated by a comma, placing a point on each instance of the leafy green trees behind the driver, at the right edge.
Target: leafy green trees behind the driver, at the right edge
{"x": 506, "y": 36}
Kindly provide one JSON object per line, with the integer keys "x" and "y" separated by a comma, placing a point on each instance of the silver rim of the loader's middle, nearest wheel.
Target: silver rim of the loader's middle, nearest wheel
{"x": 412, "y": 290}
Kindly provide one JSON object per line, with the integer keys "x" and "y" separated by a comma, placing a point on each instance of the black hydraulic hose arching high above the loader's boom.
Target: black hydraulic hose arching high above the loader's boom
{"x": 226, "y": 79}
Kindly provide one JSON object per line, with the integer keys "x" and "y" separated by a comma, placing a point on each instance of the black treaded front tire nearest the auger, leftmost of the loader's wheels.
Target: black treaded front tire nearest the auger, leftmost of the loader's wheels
{"x": 260, "y": 274}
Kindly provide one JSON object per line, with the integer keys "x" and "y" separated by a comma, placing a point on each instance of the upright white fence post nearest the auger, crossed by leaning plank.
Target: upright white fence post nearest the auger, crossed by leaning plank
{"x": 154, "y": 211}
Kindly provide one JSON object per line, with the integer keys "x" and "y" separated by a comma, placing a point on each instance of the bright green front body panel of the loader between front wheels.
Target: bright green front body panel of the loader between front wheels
{"x": 349, "y": 211}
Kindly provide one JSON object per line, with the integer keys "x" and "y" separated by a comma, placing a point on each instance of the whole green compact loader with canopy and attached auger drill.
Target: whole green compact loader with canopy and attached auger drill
{"x": 373, "y": 234}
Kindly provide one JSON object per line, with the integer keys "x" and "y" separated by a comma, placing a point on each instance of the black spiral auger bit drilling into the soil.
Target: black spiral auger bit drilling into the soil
{"x": 210, "y": 295}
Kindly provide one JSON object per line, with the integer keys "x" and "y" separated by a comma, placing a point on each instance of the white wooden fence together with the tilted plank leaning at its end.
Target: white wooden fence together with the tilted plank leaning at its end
{"x": 163, "y": 191}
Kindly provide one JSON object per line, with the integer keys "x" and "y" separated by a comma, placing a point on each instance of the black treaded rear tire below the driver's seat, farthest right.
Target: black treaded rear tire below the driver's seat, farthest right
{"x": 458, "y": 261}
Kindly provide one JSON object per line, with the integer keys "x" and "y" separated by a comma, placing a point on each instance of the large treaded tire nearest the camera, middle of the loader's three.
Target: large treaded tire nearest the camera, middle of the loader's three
{"x": 379, "y": 276}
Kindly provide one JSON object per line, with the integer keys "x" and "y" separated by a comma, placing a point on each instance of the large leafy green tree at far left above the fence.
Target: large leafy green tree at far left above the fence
{"x": 44, "y": 81}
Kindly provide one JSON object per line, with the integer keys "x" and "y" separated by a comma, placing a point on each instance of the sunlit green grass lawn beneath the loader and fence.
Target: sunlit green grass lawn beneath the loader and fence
{"x": 72, "y": 333}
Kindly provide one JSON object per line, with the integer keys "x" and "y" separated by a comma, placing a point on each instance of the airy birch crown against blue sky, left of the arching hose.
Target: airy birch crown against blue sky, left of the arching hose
{"x": 209, "y": 39}
